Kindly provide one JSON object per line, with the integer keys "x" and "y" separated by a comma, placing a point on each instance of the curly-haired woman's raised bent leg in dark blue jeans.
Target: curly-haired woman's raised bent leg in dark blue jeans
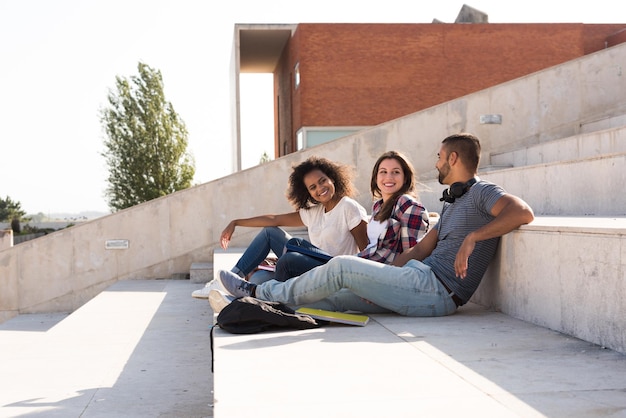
{"x": 269, "y": 239}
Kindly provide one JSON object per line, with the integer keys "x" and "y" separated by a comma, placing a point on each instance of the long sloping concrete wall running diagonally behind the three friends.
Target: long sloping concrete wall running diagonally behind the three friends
{"x": 61, "y": 271}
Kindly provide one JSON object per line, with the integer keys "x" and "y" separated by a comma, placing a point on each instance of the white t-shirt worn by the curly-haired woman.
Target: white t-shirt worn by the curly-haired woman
{"x": 330, "y": 231}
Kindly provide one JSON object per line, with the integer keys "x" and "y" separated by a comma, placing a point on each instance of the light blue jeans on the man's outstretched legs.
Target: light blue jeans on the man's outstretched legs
{"x": 352, "y": 283}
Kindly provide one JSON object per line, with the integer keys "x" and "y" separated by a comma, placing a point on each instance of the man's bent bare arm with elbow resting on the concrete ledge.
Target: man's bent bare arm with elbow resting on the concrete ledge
{"x": 510, "y": 213}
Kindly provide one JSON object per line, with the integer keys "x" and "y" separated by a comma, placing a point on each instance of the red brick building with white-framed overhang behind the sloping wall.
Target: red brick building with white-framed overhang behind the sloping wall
{"x": 333, "y": 79}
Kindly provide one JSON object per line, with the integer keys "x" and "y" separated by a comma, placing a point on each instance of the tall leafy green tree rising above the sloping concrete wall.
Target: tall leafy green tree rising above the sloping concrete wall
{"x": 146, "y": 144}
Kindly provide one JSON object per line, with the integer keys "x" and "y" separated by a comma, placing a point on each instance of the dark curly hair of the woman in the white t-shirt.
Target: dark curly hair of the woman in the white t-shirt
{"x": 341, "y": 175}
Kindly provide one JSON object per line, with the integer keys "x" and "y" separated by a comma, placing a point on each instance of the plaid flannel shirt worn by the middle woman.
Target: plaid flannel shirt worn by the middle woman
{"x": 407, "y": 225}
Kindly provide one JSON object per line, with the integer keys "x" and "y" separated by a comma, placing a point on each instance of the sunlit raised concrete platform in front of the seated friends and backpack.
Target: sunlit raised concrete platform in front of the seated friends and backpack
{"x": 472, "y": 364}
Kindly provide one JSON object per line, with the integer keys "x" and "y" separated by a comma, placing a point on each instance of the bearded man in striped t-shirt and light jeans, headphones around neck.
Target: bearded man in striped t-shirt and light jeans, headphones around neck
{"x": 433, "y": 278}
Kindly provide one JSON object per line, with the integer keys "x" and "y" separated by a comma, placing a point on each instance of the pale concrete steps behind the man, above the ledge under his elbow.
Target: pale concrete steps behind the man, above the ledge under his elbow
{"x": 572, "y": 176}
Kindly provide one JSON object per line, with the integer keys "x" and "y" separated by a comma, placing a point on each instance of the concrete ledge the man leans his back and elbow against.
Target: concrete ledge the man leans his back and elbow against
{"x": 566, "y": 274}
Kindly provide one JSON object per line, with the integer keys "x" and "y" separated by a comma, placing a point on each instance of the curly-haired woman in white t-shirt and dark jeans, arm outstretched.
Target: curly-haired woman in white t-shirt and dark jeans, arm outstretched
{"x": 321, "y": 192}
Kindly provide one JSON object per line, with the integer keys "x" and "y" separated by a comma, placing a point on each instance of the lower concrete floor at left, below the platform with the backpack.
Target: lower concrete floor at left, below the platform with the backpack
{"x": 139, "y": 349}
